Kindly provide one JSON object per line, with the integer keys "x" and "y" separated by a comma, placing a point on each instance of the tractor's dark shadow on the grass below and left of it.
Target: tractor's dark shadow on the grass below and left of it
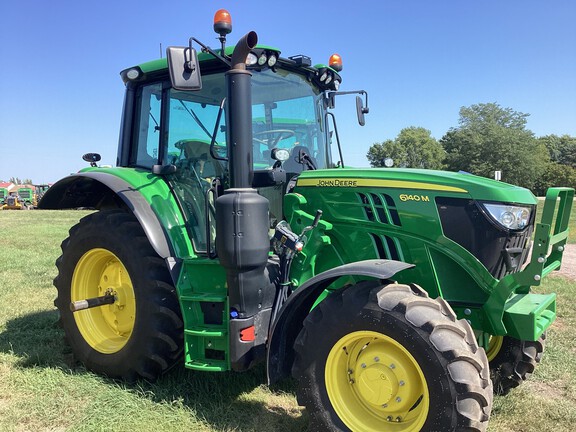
{"x": 226, "y": 401}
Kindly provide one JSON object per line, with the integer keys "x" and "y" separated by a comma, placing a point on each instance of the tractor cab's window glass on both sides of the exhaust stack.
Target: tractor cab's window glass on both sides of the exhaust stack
{"x": 286, "y": 110}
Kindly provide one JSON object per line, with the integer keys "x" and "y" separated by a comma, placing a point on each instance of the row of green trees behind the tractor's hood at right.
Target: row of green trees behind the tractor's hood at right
{"x": 488, "y": 138}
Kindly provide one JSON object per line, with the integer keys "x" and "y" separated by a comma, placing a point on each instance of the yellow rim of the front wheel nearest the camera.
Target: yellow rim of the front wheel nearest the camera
{"x": 374, "y": 383}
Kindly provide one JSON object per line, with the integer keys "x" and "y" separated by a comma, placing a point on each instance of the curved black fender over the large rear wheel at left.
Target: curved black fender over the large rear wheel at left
{"x": 100, "y": 190}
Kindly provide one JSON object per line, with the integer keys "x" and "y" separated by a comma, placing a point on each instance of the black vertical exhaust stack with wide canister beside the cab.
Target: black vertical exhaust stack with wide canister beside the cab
{"x": 241, "y": 213}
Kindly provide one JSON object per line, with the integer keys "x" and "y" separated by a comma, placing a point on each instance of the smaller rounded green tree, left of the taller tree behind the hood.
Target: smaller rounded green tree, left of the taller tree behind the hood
{"x": 414, "y": 147}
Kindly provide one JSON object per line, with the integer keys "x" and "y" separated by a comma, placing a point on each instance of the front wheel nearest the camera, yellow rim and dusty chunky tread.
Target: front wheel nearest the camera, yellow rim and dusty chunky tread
{"x": 373, "y": 358}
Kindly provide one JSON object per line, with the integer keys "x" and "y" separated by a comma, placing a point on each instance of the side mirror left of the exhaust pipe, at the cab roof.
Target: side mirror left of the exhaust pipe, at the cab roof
{"x": 184, "y": 68}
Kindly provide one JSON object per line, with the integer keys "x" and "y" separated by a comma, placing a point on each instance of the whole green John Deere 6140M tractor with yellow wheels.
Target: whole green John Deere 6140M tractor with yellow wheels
{"x": 229, "y": 235}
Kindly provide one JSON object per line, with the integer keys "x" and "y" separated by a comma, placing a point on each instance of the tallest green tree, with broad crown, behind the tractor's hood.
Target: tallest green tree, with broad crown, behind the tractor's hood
{"x": 491, "y": 138}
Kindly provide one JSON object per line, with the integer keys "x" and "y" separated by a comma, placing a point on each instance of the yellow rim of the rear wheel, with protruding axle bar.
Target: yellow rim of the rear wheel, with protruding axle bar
{"x": 105, "y": 328}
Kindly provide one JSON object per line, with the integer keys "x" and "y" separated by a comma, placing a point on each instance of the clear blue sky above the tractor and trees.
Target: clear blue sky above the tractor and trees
{"x": 419, "y": 60}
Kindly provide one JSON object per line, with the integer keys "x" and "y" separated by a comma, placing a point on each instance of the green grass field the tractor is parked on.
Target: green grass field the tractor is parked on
{"x": 42, "y": 390}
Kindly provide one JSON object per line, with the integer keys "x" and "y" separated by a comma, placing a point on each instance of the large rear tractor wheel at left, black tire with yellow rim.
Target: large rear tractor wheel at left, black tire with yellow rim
{"x": 141, "y": 334}
